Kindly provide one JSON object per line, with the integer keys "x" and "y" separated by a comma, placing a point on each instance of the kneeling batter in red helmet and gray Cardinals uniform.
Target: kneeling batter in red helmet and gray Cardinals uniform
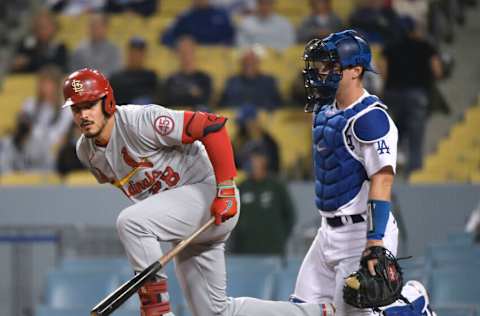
{"x": 178, "y": 168}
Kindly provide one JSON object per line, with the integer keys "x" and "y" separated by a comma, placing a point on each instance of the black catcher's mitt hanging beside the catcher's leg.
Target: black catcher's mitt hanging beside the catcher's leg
{"x": 363, "y": 290}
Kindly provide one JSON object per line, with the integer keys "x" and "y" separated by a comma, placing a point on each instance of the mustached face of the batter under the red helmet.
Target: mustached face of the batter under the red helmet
{"x": 90, "y": 118}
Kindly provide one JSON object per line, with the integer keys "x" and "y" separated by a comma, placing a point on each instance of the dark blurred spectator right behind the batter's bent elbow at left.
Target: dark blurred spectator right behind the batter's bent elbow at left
{"x": 67, "y": 160}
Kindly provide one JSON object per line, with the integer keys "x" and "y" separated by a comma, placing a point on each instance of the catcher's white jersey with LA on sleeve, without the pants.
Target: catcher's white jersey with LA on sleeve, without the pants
{"x": 373, "y": 156}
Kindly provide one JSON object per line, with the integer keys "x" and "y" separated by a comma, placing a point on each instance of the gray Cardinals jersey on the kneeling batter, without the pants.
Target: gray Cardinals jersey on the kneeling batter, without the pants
{"x": 145, "y": 153}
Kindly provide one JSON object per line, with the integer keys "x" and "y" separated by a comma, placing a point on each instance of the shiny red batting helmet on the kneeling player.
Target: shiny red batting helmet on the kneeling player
{"x": 86, "y": 85}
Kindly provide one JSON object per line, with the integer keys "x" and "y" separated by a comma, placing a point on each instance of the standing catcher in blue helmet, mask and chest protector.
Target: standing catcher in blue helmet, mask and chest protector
{"x": 355, "y": 150}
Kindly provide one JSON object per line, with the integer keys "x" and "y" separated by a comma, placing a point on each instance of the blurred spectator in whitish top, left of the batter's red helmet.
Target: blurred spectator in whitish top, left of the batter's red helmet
{"x": 41, "y": 126}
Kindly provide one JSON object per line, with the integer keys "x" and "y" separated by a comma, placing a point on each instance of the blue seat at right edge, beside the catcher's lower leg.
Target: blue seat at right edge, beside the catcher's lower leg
{"x": 454, "y": 285}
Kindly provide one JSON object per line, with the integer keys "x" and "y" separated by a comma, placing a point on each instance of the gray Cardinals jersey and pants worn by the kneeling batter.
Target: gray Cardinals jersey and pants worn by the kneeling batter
{"x": 145, "y": 156}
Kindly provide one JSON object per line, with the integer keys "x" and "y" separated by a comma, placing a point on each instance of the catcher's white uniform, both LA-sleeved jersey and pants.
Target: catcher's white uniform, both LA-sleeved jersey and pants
{"x": 336, "y": 251}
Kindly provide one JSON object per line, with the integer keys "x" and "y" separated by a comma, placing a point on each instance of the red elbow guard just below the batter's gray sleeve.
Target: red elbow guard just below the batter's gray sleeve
{"x": 197, "y": 125}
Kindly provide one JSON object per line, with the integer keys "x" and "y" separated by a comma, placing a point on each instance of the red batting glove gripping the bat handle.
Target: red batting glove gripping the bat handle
{"x": 225, "y": 204}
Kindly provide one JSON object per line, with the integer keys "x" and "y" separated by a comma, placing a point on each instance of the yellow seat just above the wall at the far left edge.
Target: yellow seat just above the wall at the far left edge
{"x": 29, "y": 179}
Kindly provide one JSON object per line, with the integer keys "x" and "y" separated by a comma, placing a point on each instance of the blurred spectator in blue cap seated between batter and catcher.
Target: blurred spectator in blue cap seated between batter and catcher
{"x": 251, "y": 134}
